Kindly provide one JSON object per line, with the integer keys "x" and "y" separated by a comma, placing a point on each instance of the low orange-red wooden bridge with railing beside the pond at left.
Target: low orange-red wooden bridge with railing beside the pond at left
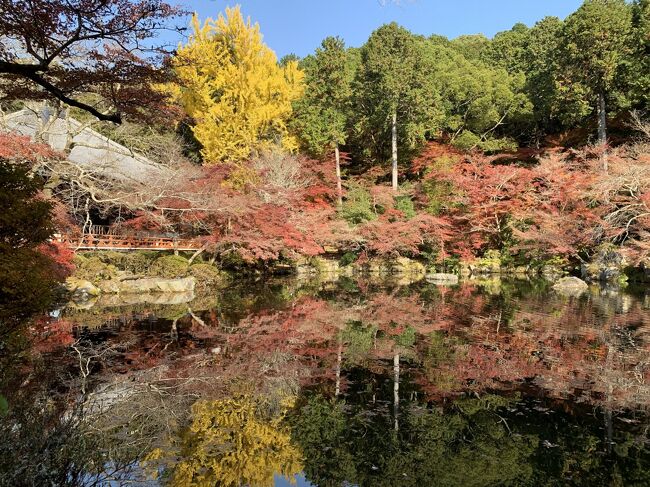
{"x": 103, "y": 238}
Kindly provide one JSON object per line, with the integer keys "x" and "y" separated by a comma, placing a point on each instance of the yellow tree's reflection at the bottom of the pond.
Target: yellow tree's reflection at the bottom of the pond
{"x": 230, "y": 443}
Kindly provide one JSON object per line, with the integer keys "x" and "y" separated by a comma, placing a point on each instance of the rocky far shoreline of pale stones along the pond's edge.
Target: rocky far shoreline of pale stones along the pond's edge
{"x": 128, "y": 275}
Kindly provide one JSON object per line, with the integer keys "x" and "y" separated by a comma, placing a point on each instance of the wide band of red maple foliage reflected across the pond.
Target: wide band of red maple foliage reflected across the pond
{"x": 595, "y": 348}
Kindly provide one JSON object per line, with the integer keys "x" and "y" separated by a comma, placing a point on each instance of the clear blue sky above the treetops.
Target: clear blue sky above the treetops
{"x": 298, "y": 26}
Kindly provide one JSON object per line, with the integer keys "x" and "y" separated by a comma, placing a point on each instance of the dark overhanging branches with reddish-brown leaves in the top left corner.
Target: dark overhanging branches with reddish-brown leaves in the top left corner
{"x": 98, "y": 56}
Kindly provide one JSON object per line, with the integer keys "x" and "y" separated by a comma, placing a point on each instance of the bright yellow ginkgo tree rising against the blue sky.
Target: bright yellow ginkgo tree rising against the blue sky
{"x": 234, "y": 89}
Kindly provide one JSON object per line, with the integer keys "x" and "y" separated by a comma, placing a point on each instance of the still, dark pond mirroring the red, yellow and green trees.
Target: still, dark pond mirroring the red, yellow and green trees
{"x": 350, "y": 382}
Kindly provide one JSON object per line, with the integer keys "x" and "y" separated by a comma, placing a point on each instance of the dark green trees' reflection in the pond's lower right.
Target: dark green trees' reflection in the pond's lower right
{"x": 470, "y": 441}
